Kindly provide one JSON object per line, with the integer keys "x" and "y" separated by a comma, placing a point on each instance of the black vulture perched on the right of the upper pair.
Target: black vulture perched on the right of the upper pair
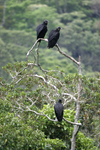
{"x": 53, "y": 37}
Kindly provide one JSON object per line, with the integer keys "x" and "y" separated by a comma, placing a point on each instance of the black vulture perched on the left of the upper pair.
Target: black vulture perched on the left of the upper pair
{"x": 42, "y": 29}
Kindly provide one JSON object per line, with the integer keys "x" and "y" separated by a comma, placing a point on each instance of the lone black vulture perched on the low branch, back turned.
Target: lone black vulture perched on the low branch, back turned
{"x": 59, "y": 110}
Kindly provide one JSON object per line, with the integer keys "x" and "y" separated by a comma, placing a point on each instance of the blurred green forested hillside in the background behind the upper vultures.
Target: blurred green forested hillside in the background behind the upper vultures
{"x": 80, "y": 34}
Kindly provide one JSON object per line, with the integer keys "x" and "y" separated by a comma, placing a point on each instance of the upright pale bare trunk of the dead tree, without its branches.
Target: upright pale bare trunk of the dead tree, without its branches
{"x": 76, "y": 127}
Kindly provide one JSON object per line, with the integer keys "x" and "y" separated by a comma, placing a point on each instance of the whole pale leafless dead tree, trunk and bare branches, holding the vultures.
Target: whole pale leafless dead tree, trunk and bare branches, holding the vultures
{"x": 18, "y": 105}
